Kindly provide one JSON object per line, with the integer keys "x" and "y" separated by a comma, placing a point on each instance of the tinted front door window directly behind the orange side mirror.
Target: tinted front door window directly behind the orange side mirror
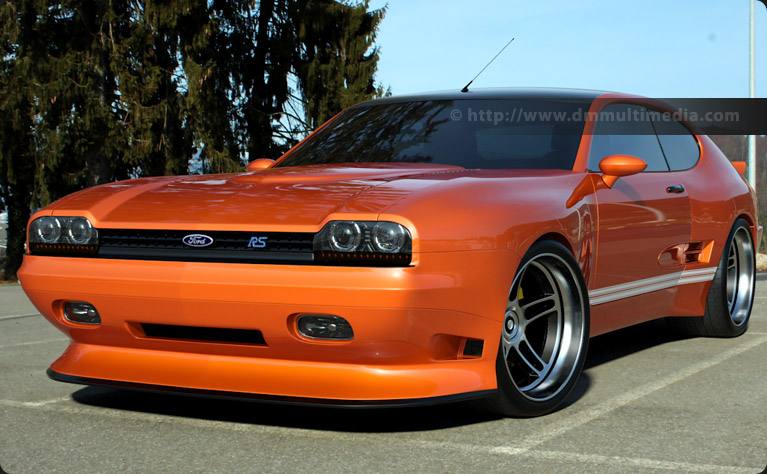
{"x": 626, "y": 129}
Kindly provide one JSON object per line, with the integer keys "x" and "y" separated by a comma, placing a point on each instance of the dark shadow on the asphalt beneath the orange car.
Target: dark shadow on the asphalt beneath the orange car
{"x": 602, "y": 349}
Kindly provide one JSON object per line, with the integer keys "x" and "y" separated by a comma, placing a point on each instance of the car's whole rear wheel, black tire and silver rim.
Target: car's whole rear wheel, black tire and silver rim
{"x": 731, "y": 295}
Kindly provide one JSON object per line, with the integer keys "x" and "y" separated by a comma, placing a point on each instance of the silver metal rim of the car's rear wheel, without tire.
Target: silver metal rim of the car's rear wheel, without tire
{"x": 740, "y": 276}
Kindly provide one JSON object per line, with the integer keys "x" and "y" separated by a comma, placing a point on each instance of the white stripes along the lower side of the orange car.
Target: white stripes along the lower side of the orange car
{"x": 648, "y": 285}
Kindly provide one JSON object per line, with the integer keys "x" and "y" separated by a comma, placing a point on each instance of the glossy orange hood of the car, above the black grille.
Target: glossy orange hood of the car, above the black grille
{"x": 297, "y": 196}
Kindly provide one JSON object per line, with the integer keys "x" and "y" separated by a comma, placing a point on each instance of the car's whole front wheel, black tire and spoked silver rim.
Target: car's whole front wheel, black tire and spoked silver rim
{"x": 545, "y": 333}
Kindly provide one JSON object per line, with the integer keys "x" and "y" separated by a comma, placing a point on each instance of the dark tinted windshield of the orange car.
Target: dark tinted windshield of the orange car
{"x": 485, "y": 134}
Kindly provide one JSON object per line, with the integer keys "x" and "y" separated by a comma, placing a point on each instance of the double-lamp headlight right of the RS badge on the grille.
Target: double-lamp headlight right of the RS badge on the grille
{"x": 363, "y": 243}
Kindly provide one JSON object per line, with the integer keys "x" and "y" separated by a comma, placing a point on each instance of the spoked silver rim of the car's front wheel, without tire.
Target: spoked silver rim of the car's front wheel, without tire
{"x": 544, "y": 327}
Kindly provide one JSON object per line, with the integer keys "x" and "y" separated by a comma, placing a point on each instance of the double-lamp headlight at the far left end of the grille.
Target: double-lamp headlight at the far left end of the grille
{"x": 64, "y": 236}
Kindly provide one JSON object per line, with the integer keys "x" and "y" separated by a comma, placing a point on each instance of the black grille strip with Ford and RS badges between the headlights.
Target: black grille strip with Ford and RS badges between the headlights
{"x": 235, "y": 247}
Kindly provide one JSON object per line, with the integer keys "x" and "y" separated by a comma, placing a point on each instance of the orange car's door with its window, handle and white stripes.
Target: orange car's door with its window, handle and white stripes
{"x": 638, "y": 218}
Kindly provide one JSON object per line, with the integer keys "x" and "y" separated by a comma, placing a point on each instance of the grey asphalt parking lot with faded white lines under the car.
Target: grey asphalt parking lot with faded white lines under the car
{"x": 648, "y": 401}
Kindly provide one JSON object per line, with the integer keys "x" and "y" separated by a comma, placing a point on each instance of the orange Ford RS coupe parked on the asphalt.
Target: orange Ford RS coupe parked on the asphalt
{"x": 412, "y": 250}
